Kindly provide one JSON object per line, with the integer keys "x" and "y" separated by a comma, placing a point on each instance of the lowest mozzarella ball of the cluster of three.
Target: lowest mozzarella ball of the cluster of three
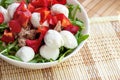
{"x": 49, "y": 53}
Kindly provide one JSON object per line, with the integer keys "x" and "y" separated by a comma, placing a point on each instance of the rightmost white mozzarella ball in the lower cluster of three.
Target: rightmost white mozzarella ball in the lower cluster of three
{"x": 69, "y": 39}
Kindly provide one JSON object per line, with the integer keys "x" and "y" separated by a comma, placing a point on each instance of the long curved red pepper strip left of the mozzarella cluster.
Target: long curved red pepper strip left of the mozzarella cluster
{"x": 35, "y": 44}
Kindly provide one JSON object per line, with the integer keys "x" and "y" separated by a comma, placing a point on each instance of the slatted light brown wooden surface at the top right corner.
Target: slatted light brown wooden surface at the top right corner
{"x": 98, "y": 8}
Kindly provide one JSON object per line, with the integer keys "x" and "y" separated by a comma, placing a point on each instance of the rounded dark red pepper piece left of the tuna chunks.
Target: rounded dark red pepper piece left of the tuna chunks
{"x": 14, "y": 26}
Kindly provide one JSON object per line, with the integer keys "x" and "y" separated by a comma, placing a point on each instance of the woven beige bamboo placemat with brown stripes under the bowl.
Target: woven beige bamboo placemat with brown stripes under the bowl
{"x": 99, "y": 59}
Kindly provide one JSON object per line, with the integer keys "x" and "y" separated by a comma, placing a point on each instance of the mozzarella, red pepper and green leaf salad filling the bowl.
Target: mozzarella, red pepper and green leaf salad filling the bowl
{"x": 39, "y": 31}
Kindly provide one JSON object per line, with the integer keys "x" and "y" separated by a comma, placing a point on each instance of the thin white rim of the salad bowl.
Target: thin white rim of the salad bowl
{"x": 65, "y": 58}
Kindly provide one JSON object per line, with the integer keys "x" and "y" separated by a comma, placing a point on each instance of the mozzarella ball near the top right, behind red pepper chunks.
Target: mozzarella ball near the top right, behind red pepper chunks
{"x": 59, "y": 8}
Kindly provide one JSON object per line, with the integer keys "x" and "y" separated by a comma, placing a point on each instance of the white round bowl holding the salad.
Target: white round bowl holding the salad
{"x": 83, "y": 16}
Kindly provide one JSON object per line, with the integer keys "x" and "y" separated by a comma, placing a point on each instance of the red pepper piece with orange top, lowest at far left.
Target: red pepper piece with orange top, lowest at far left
{"x": 7, "y": 37}
